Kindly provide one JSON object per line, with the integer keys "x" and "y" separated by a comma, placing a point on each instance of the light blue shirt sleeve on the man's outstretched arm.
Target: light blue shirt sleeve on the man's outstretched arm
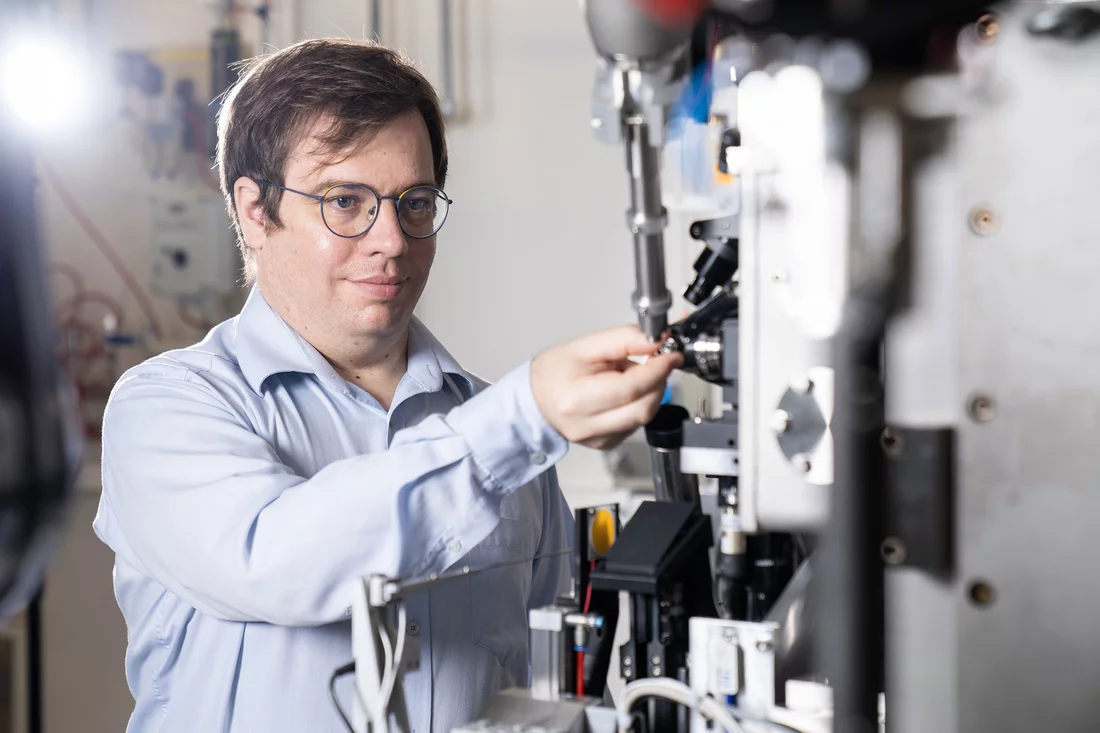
{"x": 202, "y": 505}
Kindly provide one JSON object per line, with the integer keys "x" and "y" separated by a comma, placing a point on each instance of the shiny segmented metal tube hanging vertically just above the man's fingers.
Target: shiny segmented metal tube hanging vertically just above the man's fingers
{"x": 647, "y": 220}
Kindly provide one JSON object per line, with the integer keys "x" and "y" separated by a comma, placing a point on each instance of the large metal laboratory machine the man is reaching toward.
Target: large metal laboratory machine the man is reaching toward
{"x": 904, "y": 323}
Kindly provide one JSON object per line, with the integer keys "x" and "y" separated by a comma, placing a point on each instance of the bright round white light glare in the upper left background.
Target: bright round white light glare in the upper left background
{"x": 43, "y": 83}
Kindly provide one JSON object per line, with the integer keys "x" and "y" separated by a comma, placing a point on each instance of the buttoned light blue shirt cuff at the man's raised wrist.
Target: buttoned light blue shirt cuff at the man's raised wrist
{"x": 511, "y": 440}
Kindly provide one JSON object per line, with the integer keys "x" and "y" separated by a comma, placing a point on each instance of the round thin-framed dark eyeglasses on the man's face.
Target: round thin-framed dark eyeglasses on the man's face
{"x": 350, "y": 211}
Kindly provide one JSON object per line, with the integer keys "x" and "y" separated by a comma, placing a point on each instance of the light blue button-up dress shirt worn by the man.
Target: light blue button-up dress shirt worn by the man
{"x": 247, "y": 486}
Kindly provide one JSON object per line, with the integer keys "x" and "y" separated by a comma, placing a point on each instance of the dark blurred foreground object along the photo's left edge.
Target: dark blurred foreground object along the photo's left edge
{"x": 39, "y": 437}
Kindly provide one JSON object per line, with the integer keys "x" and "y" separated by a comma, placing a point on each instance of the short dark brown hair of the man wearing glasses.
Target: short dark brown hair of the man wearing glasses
{"x": 359, "y": 85}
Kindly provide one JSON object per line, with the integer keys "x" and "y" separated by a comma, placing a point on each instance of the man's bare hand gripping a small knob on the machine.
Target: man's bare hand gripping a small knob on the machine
{"x": 592, "y": 393}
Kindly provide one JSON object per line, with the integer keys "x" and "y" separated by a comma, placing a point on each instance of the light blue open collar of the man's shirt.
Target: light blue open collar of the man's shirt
{"x": 267, "y": 345}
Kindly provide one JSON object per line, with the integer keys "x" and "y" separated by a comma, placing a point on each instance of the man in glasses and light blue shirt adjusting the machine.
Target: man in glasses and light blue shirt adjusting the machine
{"x": 324, "y": 434}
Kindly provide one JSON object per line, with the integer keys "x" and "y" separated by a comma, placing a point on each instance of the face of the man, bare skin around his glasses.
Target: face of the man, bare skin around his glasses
{"x": 334, "y": 288}
